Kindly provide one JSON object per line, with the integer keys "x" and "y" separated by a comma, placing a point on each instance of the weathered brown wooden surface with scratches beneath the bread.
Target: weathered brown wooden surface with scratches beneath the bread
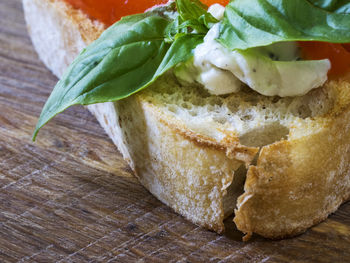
{"x": 71, "y": 198}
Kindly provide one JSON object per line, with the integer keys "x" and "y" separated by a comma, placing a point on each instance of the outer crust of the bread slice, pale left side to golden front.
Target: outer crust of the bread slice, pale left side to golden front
{"x": 290, "y": 188}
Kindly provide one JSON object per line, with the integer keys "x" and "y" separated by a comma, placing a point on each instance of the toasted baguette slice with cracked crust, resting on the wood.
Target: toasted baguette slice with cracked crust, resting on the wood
{"x": 191, "y": 149}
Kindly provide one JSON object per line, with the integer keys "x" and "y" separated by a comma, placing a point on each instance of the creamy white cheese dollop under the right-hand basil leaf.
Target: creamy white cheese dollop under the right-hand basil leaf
{"x": 271, "y": 70}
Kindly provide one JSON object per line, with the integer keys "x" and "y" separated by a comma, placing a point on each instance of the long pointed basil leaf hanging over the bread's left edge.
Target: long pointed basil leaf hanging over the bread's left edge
{"x": 129, "y": 56}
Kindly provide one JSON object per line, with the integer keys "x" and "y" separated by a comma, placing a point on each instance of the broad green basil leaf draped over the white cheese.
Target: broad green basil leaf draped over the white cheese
{"x": 255, "y": 23}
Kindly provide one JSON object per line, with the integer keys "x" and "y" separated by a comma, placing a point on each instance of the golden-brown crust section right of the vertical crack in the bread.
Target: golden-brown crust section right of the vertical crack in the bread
{"x": 297, "y": 183}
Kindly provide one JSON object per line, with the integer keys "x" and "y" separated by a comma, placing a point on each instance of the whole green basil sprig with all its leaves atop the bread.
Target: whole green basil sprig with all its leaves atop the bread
{"x": 134, "y": 52}
